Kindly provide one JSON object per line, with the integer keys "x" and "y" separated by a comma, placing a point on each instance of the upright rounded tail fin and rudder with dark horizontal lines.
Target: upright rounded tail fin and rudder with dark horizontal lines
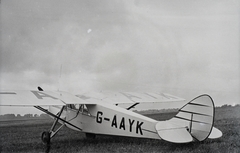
{"x": 197, "y": 116}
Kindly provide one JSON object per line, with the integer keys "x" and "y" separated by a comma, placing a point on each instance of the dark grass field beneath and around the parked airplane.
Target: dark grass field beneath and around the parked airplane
{"x": 25, "y": 136}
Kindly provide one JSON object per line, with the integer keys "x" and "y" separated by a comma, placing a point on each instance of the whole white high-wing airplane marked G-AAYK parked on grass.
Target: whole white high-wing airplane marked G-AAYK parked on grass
{"x": 107, "y": 113}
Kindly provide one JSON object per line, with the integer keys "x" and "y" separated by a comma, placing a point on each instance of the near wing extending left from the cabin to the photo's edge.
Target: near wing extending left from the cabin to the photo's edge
{"x": 38, "y": 98}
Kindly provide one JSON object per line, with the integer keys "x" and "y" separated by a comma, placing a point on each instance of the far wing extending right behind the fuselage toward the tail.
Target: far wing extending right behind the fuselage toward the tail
{"x": 136, "y": 100}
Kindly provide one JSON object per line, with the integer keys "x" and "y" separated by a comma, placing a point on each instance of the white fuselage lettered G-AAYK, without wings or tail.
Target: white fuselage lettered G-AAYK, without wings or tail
{"x": 109, "y": 119}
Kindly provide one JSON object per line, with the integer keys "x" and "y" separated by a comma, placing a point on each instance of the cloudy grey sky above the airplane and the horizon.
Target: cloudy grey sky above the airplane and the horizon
{"x": 184, "y": 48}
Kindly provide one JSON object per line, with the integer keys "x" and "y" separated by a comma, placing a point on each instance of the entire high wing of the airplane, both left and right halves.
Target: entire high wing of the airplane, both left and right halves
{"x": 126, "y": 100}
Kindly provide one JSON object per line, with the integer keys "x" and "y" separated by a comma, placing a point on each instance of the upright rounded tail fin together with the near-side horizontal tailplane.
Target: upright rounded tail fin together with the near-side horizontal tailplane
{"x": 193, "y": 121}
